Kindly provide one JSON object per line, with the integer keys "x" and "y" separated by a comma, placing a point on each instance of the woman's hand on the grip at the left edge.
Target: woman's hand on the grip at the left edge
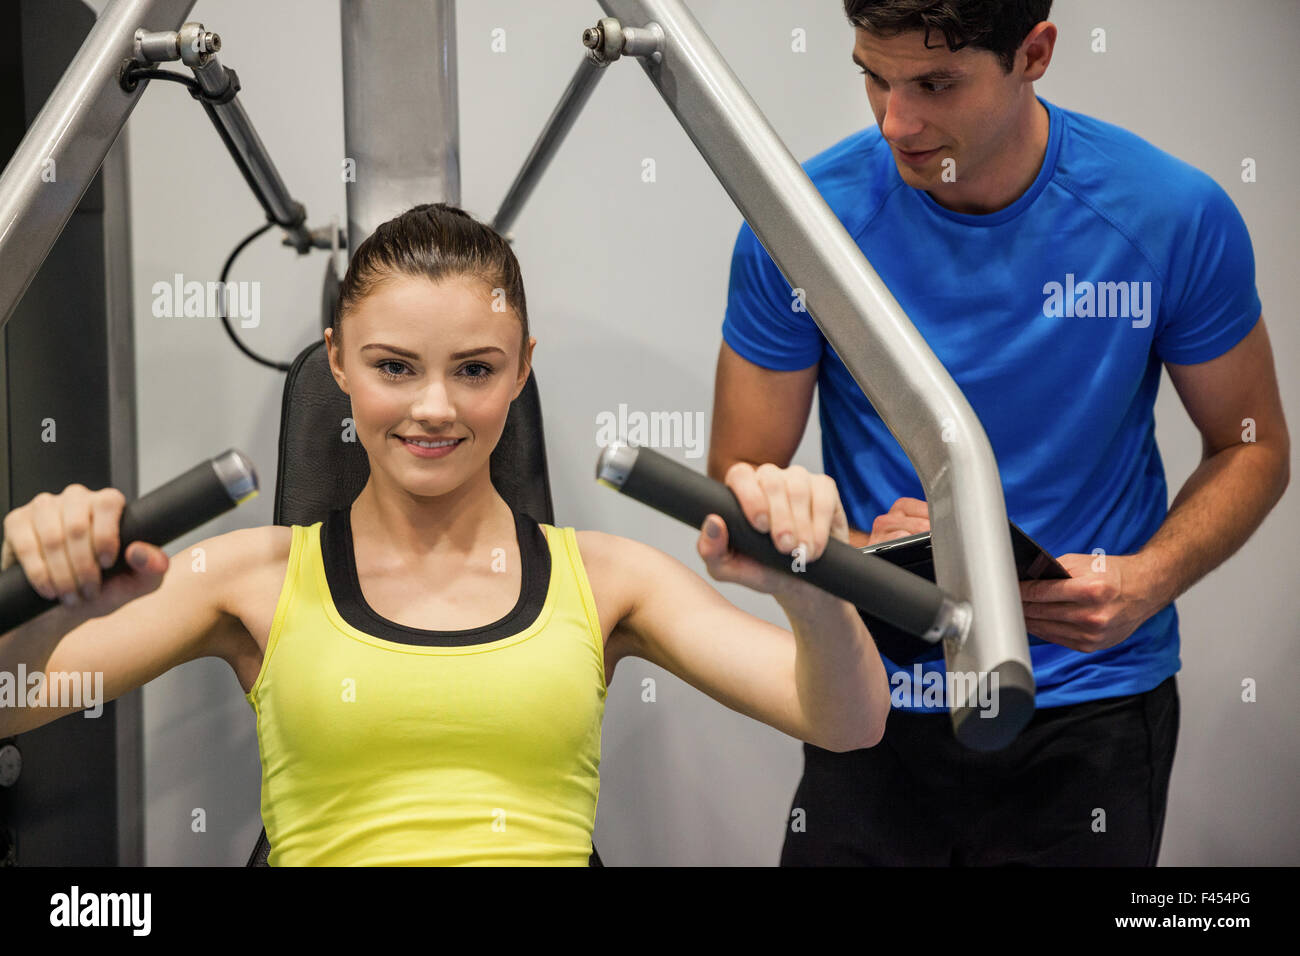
{"x": 63, "y": 543}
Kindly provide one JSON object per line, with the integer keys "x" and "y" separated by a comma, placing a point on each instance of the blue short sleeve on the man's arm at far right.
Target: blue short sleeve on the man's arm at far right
{"x": 1211, "y": 301}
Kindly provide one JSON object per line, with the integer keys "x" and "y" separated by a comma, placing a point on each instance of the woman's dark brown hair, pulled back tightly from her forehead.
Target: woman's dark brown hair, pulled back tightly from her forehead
{"x": 434, "y": 241}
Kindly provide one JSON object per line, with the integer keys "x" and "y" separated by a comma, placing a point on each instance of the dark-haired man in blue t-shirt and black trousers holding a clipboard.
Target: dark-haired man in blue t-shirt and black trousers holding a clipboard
{"x": 1055, "y": 263}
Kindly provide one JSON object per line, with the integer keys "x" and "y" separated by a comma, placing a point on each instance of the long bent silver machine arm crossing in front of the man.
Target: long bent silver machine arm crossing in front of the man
{"x": 887, "y": 357}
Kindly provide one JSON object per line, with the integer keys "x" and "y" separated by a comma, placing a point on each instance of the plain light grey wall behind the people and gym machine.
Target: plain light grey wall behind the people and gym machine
{"x": 627, "y": 284}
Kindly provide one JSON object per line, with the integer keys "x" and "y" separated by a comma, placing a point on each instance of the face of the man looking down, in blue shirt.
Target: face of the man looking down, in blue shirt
{"x": 941, "y": 111}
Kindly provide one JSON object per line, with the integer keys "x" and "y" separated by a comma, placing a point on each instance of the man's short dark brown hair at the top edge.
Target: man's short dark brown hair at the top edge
{"x": 999, "y": 27}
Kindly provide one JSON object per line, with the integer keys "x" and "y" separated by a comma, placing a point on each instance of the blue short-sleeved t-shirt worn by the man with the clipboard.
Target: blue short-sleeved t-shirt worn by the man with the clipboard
{"x": 1061, "y": 370}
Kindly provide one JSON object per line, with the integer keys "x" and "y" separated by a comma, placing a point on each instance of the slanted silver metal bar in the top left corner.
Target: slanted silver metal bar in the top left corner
{"x": 66, "y": 146}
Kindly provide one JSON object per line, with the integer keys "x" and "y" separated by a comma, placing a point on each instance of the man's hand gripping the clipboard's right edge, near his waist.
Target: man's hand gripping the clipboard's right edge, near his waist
{"x": 1104, "y": 602}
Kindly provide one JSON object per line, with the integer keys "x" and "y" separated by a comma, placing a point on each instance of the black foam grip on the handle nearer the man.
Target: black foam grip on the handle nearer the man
{"x": 864, "y": 581}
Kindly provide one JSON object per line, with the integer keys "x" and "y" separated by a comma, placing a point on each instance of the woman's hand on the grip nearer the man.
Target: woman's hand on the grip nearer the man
{"x": 798, "y": 508}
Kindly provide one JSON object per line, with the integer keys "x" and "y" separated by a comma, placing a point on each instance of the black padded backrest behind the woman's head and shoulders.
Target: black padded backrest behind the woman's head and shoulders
{"x": 320, "y": 470}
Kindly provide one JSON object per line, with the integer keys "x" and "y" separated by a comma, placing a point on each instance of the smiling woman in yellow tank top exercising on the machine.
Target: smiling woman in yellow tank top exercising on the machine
{"x": 384, "y": 742}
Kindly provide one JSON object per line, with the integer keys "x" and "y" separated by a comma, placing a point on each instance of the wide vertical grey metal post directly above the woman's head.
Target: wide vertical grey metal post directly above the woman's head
{"x": 401, "y": 120}
